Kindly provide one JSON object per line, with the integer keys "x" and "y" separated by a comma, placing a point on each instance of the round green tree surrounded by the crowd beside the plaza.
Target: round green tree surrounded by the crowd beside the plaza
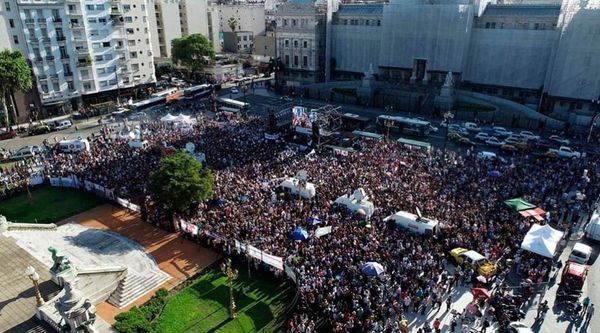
{"x": 181, "y": 182}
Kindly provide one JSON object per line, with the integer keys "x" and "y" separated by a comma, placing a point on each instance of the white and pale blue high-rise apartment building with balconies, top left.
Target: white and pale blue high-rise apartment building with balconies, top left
{"x": 78, "y": 49}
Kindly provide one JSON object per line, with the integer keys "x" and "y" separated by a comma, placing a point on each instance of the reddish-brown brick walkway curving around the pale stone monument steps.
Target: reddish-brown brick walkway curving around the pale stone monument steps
{"x": 176, "y": 256}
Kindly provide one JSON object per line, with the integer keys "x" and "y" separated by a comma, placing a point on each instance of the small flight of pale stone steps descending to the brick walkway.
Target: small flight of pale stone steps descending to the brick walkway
{"x": 133, "y": 286}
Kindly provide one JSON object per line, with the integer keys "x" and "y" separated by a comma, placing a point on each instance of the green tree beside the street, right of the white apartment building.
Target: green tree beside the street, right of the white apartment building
{"x": 192, "y": 51}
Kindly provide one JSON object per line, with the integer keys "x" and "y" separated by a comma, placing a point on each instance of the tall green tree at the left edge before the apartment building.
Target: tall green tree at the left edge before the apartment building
{"x": 14, "y": 75}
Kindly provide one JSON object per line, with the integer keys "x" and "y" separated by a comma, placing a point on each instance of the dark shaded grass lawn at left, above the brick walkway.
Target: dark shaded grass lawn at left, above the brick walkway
{"x": 47, "y": 205}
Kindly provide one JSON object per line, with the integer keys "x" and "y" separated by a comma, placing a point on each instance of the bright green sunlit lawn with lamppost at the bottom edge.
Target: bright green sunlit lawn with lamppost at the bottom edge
{"x": 204, "y": 306}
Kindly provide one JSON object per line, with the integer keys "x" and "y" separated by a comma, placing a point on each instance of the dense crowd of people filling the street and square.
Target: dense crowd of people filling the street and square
{"x": 457, "y": 191}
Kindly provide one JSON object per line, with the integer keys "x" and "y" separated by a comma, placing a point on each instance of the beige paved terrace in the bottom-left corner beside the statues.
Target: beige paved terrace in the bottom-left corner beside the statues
{"x": 17, "y": 300}
